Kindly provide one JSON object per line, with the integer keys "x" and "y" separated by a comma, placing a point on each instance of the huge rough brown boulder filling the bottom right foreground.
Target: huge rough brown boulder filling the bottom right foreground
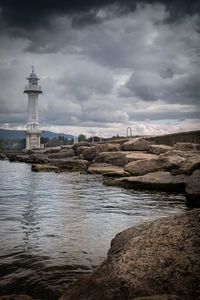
{"x": 155, "y": 260}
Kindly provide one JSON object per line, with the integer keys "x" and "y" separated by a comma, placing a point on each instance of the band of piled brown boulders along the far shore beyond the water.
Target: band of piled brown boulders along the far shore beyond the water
{"x": 131, "y": 163}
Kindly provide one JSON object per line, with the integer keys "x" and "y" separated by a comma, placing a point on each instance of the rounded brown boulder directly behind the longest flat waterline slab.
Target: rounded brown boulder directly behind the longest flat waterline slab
{"x": 142, "y": 167}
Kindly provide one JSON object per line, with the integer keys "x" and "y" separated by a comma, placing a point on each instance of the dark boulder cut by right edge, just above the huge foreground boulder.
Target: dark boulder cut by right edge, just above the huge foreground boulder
{"x": 193, "y": 189}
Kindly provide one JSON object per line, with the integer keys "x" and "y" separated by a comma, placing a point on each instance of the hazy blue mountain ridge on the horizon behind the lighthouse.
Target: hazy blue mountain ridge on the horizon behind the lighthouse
{"x": 8, "y": 134}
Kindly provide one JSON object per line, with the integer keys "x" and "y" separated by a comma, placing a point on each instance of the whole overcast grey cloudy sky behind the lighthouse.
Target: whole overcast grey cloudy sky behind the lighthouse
{"x": 103, "y": 65}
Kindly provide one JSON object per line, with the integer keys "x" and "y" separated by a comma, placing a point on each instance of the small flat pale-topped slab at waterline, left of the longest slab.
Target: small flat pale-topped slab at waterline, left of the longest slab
{"x": 107, "y": 169}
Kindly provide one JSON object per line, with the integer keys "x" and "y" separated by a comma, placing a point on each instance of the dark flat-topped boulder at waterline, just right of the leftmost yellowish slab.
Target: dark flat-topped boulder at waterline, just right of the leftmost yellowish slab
{"x": 70, "y": 164}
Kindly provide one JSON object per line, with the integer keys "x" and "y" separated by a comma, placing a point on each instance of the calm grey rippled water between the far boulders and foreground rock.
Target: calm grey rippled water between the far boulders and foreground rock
{"x": 55, "y": 227}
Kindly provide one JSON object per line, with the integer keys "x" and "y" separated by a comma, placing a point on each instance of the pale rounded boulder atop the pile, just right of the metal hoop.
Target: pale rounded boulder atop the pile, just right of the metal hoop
{"x": 136, "y": 144}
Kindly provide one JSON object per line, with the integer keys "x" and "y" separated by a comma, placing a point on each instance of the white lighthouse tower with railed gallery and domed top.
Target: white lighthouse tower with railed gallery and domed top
{"x": 33, "y": 131}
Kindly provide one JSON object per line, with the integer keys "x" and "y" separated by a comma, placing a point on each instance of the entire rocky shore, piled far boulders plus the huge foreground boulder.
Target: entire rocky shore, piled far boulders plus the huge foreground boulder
{"x": 157, "y": 260}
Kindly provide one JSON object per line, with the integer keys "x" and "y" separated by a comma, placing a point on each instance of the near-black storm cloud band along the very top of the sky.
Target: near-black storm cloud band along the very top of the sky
{"x": 24, "y": 14}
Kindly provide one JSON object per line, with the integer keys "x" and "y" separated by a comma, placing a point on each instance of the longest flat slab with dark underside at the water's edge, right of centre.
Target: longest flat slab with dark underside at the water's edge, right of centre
{"x": 160, "y": 180}
